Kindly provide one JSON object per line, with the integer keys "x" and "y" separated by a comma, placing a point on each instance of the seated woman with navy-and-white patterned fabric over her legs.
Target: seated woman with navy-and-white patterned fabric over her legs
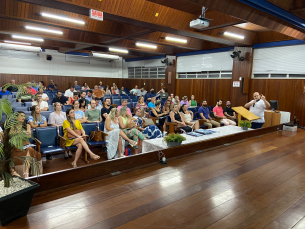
{"x": 151, "y": 131}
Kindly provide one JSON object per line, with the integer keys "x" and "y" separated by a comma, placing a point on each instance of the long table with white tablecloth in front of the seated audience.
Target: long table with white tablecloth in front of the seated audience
{"x": 160, "y": 144}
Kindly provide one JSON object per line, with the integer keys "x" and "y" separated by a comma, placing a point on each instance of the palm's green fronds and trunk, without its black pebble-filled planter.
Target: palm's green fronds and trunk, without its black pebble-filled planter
{"x": 13, "y": 140}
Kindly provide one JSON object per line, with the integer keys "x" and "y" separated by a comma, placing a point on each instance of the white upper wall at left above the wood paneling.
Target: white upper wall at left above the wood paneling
{"x": 14, "y": 62}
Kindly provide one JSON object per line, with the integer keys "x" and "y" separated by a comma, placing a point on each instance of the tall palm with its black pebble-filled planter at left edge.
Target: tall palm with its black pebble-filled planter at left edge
{"x": 16, "y": 193}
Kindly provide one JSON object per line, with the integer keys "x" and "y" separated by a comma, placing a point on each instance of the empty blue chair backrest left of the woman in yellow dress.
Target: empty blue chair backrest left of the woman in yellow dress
{"x": 47, "y": 136}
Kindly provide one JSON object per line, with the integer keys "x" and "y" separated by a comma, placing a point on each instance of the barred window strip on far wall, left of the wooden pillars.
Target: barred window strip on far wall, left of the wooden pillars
{"x": 146, "y": 72}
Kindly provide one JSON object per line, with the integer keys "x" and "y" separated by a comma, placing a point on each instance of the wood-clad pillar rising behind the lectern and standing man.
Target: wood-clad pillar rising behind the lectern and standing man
{"x": 241, "y": 69}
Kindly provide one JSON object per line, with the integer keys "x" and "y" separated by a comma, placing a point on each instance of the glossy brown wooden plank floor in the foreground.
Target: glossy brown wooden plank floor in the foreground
{"x": 257, "y": 183}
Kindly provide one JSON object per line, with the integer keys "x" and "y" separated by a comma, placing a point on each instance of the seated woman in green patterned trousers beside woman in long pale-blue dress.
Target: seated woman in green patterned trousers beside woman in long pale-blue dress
{"x": 125, "y": 122}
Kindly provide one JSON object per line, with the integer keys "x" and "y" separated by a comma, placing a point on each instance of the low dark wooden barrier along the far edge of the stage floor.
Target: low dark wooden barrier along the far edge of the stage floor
{"x": 60, "y": 179}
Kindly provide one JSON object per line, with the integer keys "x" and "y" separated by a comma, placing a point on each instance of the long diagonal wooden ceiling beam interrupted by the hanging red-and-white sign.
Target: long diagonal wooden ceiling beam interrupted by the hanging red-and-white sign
{"x": 156, "y": 27}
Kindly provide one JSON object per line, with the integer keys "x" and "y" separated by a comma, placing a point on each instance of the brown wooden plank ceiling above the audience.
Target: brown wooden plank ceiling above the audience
{"x": 148, "y": 21}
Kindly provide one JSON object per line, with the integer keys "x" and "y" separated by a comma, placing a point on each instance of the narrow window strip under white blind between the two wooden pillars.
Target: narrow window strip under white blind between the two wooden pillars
{"x": 206, "y": 75}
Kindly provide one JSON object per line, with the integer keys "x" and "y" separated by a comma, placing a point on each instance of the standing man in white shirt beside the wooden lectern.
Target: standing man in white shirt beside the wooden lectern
{"x": 258, "y": 106}
